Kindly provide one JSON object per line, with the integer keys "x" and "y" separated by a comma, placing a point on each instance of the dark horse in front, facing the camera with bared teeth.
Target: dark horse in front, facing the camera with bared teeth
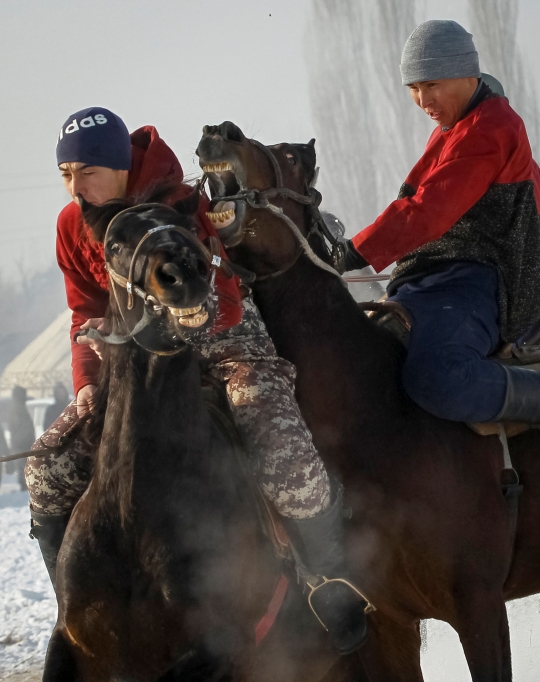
{"x": 164, "y": 572}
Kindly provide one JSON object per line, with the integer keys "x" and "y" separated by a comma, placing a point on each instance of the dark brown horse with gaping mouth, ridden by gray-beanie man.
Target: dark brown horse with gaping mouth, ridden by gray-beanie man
{"x": 430, "y": 534}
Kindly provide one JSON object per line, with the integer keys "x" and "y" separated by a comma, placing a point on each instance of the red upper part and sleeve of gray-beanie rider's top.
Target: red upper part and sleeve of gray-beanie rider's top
{"x": 488, "y": 147}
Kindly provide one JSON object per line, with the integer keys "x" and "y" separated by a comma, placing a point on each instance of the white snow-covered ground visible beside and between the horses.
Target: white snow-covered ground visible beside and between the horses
{"x": 28, "y": 611}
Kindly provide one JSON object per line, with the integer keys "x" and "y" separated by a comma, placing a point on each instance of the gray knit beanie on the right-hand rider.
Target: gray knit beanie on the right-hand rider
{"x": 438, "y": 50}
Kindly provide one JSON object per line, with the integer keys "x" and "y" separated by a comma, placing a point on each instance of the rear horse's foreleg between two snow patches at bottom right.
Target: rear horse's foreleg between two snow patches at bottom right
{"x": 483, "y": 629}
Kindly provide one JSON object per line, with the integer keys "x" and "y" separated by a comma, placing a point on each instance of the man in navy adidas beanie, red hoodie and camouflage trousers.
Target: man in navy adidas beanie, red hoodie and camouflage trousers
{"x": 99, "y": 161}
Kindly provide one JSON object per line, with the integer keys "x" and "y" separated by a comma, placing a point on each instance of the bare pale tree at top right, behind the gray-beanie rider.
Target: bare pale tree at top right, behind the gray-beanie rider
{"x": 494, "y": 27}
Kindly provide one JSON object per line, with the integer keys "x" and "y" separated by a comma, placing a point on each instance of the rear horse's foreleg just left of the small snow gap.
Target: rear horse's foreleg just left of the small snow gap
{"x": 392, "y": 651}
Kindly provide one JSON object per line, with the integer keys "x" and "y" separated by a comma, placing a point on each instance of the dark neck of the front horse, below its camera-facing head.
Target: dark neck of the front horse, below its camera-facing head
{"x": 155, "y": 421}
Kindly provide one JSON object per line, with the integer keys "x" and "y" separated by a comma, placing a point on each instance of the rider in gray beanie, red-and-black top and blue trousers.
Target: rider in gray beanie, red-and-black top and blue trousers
{"x": 465, "y": 232}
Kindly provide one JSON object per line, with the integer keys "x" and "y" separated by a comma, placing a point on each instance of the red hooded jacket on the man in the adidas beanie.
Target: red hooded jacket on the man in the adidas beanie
{"x": 81, "y": 259}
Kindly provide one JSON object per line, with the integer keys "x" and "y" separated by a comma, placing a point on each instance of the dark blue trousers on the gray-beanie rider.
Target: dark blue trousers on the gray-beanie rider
{"x": 454, "y": 329}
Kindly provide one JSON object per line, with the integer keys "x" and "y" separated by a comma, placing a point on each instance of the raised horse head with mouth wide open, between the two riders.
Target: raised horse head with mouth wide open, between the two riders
{"x": 245, "y": 177}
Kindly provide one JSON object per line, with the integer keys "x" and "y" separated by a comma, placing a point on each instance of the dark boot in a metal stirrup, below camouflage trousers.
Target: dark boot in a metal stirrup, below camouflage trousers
{"x": 317, "y": 545}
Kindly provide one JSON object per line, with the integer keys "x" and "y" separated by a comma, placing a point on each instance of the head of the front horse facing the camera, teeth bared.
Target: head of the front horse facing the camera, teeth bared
{"x": 159, "y": 271}
